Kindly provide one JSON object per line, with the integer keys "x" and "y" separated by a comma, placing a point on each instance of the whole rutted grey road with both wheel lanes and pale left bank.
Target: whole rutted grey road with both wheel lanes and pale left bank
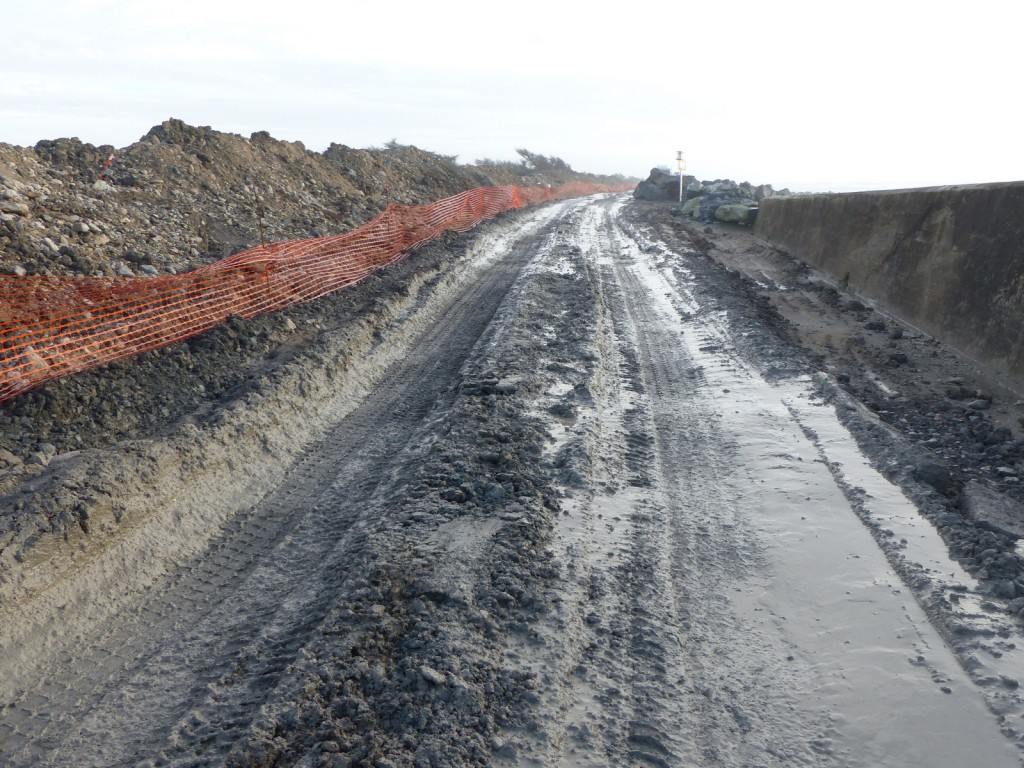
{"x": 583, "y": 509}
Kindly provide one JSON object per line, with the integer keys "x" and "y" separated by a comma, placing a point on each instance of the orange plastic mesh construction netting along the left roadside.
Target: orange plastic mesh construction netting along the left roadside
{"x": 53, "y": 327}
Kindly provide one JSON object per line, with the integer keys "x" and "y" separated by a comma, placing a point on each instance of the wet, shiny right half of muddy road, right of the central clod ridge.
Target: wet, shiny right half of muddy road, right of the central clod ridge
{"x": 666, "y": 653}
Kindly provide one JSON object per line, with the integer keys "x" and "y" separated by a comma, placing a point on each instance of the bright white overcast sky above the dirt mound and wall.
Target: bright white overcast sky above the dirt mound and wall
{"x": 812, "y": 96}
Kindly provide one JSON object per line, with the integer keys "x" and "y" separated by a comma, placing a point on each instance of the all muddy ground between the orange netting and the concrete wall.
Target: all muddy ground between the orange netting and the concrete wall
{"x": 582, "y": 488}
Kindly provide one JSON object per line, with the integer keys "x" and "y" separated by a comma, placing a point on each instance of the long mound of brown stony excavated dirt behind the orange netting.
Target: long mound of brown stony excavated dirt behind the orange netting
{"x": 184, "y": 196}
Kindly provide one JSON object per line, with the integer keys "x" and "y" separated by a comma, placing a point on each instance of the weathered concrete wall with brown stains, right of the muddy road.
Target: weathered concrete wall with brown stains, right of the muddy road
{"x": 948, "y": 260}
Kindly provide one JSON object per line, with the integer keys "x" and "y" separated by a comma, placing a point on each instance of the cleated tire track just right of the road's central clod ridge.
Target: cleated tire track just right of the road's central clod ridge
{"x": 682, "y": 545}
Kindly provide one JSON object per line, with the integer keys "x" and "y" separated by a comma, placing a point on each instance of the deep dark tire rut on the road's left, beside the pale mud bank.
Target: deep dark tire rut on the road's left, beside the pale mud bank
{"x": 186, "y": 671}
